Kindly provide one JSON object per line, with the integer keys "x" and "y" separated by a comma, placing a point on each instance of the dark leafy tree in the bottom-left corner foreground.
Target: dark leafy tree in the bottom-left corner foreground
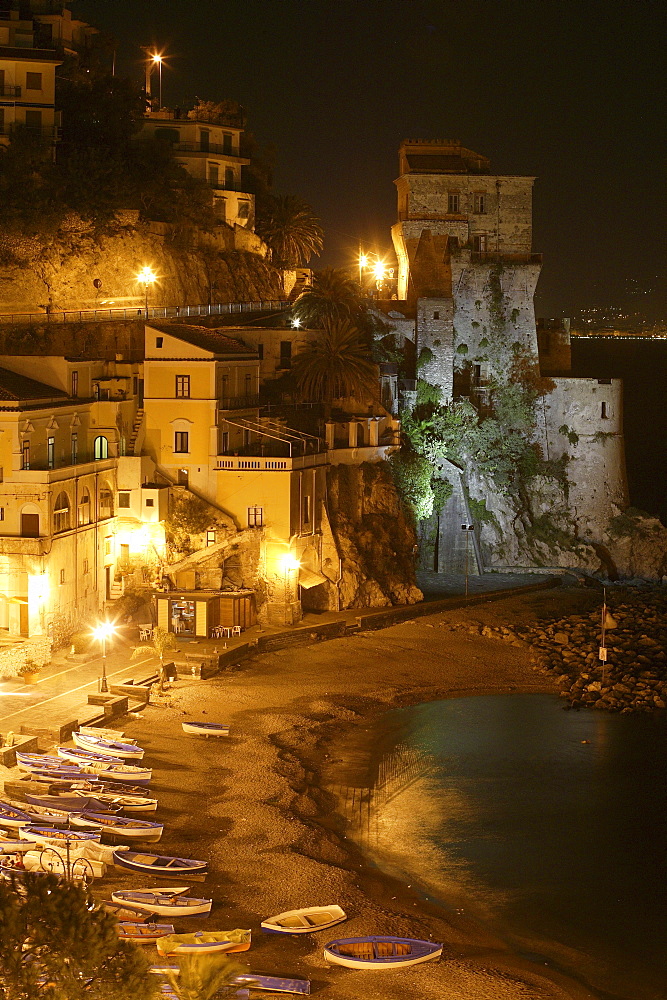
{"x": 55, "y": 945}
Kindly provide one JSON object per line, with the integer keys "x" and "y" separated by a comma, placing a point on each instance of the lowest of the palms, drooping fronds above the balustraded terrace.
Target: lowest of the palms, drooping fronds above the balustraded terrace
{"x": 335, "y": 364}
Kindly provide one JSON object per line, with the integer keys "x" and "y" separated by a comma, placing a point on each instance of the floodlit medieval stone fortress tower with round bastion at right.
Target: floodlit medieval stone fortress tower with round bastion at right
{"x": 468, "y": 272}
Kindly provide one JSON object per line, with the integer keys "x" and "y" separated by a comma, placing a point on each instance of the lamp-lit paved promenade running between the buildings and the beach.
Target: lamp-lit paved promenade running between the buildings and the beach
{"x": 61, "y": 693}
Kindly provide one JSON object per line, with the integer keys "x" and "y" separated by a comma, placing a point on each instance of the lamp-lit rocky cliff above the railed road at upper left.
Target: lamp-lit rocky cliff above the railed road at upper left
{"x": 81, "y": 268}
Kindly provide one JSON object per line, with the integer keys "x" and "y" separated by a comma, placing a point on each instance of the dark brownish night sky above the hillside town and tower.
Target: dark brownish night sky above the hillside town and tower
{"x": 571, "y": 91}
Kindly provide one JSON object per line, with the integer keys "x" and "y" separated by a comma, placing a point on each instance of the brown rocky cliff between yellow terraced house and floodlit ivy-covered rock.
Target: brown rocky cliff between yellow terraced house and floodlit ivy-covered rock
{"x": 374, "y": 538}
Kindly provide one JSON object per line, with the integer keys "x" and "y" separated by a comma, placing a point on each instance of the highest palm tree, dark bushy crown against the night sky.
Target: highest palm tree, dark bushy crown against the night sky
{"x": 290, "y": 230}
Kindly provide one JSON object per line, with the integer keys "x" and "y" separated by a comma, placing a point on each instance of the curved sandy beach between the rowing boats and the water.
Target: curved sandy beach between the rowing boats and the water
{"x": 252, "y": 806}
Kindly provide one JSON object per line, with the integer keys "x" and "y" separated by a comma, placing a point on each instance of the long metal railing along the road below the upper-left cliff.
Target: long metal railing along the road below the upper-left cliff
{"x": 125, "y": 313}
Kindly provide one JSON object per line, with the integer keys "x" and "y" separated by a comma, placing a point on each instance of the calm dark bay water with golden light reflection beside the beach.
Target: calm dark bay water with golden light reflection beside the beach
{"x": 549, "y": 825}
